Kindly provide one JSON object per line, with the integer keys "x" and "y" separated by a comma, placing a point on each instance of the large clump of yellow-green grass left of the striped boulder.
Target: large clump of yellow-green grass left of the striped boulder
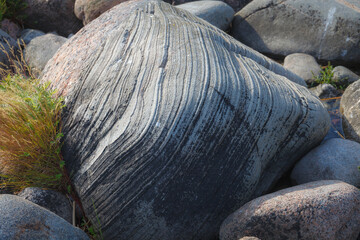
{"x": 30, "y": 134}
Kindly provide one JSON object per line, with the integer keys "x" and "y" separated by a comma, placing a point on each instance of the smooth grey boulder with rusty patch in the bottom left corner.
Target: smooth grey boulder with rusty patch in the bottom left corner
{"x": 22, "y": 219}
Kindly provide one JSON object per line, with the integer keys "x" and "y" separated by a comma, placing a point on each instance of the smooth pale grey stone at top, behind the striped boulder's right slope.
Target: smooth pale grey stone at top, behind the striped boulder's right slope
{"x": 216, "y": 13}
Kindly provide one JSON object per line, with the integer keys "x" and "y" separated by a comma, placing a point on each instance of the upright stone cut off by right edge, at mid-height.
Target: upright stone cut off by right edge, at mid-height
{"x": 350, "y": 109}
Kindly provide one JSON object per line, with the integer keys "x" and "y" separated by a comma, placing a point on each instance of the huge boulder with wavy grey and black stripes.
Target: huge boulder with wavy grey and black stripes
{"x": 171, "y": 124}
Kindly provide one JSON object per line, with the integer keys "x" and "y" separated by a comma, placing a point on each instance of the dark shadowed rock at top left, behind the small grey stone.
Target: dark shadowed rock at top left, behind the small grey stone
{"x": 52, "y": 15}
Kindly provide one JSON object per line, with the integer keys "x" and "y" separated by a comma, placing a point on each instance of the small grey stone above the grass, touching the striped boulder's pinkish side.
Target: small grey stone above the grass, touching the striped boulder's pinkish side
{"x": 41, "y": 49}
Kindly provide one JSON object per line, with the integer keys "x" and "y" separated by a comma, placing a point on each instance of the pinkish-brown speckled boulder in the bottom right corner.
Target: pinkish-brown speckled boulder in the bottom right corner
{"x": 323, "y": 210}
